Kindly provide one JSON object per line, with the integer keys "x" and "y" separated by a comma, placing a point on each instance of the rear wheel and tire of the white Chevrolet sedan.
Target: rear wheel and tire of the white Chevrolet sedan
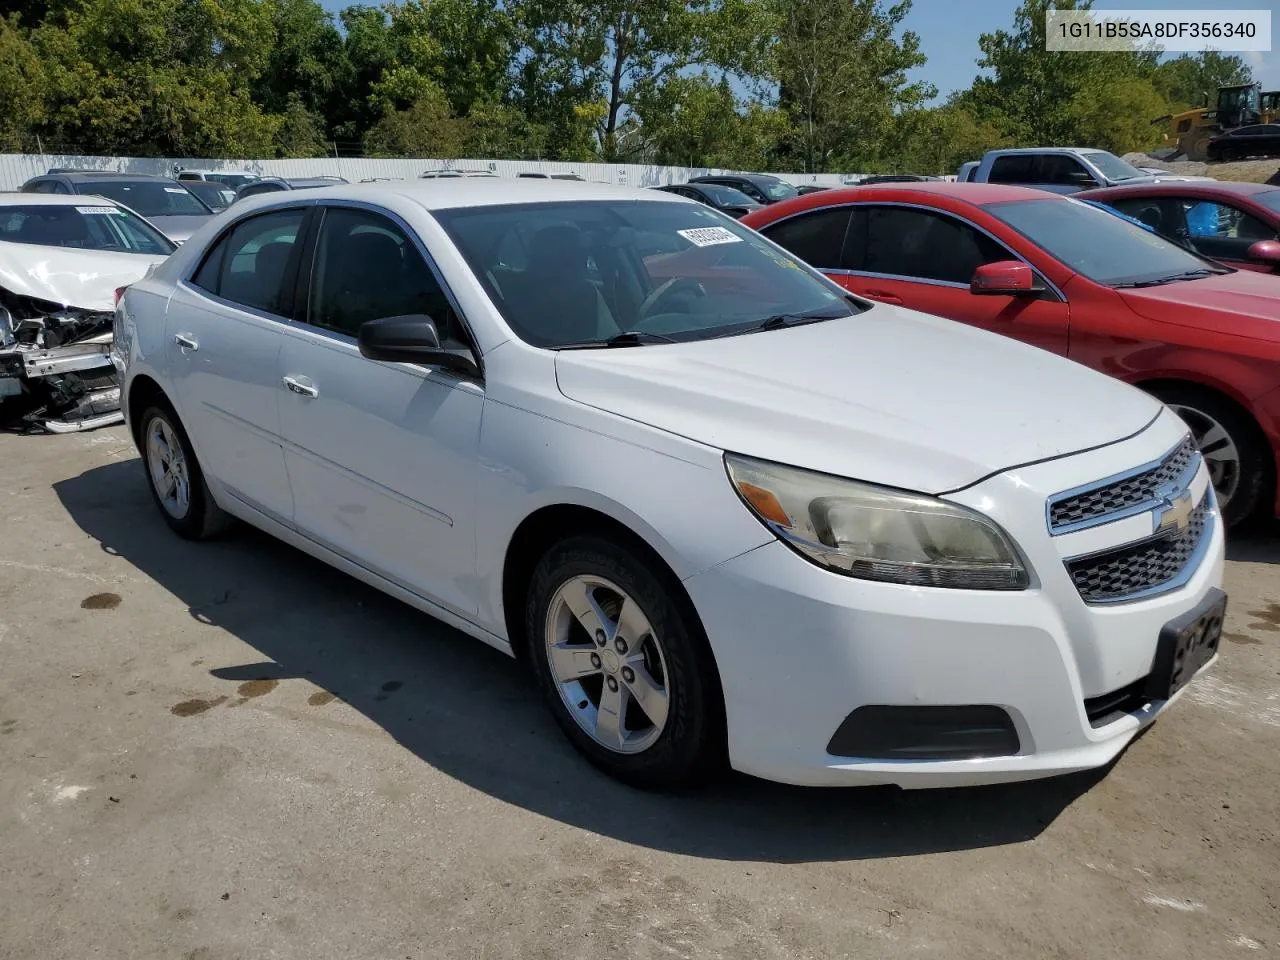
{"x": 177, "y": 484}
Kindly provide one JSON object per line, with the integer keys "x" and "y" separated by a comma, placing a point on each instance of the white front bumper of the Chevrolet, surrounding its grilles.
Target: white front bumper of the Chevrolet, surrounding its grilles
{"x": 799, "y": 648}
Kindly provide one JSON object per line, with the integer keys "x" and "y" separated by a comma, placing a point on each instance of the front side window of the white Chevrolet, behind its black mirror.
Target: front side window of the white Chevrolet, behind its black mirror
{"x": 367, "y": 269}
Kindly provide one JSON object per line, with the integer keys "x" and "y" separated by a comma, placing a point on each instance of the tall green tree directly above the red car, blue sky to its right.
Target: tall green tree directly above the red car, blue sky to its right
{"x": 842, "y": 70}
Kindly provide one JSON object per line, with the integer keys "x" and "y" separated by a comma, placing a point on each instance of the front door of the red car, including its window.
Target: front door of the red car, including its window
{"x": 926, "y": 259}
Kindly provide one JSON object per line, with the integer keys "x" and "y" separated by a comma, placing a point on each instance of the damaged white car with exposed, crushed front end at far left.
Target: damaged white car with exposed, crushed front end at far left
{"x": 63, "y": 262}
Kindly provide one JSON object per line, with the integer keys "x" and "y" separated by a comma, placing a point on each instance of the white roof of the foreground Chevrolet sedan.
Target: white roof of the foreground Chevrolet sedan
{"x": 450, "y": 194}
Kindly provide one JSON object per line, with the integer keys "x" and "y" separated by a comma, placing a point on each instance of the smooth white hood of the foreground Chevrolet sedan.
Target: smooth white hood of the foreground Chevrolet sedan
{"x": 890, "y": 396}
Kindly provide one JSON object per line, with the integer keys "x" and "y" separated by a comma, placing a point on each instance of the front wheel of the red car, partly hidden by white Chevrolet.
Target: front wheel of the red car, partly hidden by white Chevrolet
{"x": 1232, "y": 445}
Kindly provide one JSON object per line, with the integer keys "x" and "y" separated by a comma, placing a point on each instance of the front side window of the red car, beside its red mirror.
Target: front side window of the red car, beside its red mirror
{"x": 920, "y": 244}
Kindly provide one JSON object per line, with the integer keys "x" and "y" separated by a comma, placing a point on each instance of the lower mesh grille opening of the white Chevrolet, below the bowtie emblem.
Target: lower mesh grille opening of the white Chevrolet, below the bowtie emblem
{"x": 1131, "y": 572}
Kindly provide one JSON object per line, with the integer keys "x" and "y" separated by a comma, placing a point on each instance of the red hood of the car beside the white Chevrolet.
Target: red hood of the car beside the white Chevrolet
{"x": 1244, "y": 304}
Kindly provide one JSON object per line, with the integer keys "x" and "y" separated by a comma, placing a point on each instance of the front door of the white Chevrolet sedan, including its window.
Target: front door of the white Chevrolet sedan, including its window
{"x": 381, "y": 456}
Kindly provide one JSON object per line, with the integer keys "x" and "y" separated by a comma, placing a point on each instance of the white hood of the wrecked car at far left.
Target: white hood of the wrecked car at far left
{"x": 74, "y": 278}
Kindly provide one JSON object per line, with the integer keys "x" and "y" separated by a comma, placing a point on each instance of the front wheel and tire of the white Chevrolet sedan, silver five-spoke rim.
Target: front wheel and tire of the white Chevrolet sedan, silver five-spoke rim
{"x": 673, "y": 659}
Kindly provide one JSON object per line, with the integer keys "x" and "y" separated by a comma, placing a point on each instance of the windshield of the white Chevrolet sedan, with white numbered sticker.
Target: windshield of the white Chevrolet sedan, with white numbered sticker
{"x": 577, "y": 272}
